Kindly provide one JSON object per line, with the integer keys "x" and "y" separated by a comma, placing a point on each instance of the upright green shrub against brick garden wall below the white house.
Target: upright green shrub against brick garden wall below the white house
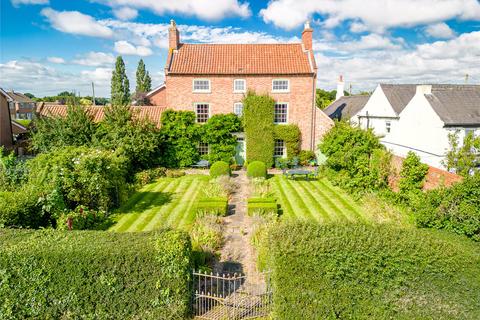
{"x": 412, "y": 174}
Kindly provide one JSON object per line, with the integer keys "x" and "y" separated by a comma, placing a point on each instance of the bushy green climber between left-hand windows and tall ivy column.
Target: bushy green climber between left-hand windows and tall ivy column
{"x": 217, "y": 132}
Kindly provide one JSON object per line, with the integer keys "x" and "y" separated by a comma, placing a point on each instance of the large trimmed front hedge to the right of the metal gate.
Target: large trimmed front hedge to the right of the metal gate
{"x": 372, "y": 272}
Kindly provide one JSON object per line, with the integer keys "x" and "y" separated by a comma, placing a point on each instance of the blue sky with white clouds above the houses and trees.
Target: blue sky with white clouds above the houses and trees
{"x": 48, "y": 46}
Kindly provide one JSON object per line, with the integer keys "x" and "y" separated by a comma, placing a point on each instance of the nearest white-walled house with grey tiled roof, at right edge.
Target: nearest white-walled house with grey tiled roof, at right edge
{"x": 430, "y": 116}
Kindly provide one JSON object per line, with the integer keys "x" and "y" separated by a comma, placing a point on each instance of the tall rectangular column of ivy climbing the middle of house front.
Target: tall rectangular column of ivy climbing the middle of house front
{"x": 259, "y": 127}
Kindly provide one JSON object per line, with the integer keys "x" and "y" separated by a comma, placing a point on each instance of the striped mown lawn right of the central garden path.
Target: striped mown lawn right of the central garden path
{"x": 316, "y": 200}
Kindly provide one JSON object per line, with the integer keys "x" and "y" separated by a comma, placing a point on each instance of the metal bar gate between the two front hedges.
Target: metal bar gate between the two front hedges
{"x": 229, "y": 296}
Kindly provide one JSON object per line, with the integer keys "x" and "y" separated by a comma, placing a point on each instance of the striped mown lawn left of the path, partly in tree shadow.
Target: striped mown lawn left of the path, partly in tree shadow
{"x": 168, "y": 202}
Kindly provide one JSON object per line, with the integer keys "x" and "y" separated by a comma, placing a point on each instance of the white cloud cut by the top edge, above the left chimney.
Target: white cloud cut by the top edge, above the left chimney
{"x": 203, "y": 9}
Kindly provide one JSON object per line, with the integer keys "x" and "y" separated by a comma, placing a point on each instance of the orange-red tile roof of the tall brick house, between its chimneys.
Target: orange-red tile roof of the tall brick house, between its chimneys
{"x": 287, "y": 58}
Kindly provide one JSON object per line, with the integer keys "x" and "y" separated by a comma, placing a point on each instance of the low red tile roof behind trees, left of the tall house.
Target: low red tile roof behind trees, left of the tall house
{"x": 153, "y": 113}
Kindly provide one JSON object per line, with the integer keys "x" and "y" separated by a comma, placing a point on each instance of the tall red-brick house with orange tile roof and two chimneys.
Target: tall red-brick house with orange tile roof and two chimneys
{"x": 213, "y": 79}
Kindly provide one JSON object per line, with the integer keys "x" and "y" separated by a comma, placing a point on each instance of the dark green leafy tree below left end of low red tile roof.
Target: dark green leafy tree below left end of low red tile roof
{"x": 75, "y": 129}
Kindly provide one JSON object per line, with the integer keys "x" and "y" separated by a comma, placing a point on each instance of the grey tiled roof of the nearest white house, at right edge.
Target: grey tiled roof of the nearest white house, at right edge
{"x": 456, "y": 105}
